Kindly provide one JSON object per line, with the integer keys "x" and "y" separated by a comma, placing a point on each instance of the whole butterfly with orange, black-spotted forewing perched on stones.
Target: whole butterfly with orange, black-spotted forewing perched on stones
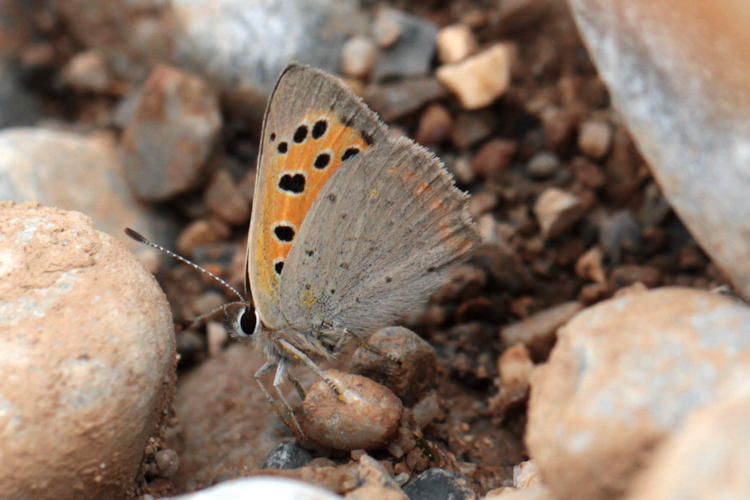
{"x": 351, "y": 227}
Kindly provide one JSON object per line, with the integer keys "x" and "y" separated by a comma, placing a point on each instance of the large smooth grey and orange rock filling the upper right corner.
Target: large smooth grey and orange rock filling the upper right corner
{"x": 680, "y": 75}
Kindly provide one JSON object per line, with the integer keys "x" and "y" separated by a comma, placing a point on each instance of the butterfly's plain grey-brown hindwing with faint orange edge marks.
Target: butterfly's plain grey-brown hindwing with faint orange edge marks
{"x": 380, "y": 239}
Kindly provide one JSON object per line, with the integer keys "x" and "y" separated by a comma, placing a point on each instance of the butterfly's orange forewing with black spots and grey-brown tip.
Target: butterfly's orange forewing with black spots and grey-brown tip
{"x": 313, "y": 125}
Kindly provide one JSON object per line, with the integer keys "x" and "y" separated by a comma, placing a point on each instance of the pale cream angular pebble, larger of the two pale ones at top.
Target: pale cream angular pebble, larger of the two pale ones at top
{"x": 480, "y": 79}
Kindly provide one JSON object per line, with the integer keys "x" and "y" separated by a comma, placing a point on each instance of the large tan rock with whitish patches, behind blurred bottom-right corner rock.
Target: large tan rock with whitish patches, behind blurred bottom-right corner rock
{"x": 622, "y": 377}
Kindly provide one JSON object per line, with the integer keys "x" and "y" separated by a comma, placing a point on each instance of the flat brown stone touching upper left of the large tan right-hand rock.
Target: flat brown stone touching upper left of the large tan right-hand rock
{"x": 537, "y": 332}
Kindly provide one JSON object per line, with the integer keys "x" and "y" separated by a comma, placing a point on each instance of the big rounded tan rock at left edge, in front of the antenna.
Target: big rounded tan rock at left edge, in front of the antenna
{"x": 88, "y": 357}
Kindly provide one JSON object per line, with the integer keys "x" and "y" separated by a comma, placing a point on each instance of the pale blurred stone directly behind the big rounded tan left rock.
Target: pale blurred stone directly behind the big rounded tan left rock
{"x": 31, "y": 160}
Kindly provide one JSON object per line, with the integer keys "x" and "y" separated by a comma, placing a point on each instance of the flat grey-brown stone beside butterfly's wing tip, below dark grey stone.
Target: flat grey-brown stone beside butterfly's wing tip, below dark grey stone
{"x": 394, "y": 100}
